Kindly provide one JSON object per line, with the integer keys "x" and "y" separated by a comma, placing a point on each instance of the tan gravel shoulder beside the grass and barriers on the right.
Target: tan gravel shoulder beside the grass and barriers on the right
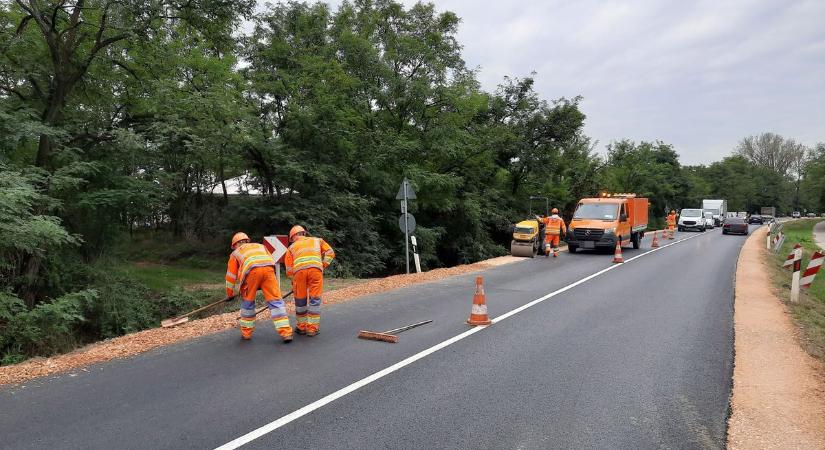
{"x": 778, "y": 389}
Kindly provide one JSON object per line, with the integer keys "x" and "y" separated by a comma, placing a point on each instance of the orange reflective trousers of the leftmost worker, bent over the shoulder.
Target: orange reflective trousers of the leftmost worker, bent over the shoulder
{"x": 263, "y": 278}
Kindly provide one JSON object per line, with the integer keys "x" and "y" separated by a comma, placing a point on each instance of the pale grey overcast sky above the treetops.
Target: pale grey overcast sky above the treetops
{"x": 696, "y": 74}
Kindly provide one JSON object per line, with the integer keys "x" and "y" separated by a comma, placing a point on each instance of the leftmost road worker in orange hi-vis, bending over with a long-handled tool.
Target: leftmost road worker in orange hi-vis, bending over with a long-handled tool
{"x": 251, "y": 268}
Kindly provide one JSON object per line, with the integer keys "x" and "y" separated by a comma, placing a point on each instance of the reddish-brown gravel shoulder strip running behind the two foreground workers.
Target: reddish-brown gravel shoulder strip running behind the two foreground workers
{"x": 146, "y": 340}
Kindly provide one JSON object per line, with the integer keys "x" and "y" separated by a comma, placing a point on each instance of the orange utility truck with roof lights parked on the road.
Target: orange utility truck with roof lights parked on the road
{"x": 599, "y": 222}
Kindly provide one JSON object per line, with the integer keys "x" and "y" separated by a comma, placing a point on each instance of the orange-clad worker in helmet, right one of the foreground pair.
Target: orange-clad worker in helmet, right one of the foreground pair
{"x": 305, "y": 261}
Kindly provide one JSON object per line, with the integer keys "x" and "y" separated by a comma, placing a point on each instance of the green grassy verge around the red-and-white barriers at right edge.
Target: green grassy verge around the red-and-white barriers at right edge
{"x": 809, "y": 312}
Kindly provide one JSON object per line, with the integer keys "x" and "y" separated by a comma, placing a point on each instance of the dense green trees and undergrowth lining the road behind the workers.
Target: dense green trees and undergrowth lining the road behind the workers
{"x": 126, "y": 130}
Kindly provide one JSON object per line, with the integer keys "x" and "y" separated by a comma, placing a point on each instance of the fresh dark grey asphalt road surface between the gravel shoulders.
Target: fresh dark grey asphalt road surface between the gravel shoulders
{"x": 635, "y": 356}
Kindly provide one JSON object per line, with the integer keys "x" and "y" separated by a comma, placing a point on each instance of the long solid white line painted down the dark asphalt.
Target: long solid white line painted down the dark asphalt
{"x": 278, "y": 423}
